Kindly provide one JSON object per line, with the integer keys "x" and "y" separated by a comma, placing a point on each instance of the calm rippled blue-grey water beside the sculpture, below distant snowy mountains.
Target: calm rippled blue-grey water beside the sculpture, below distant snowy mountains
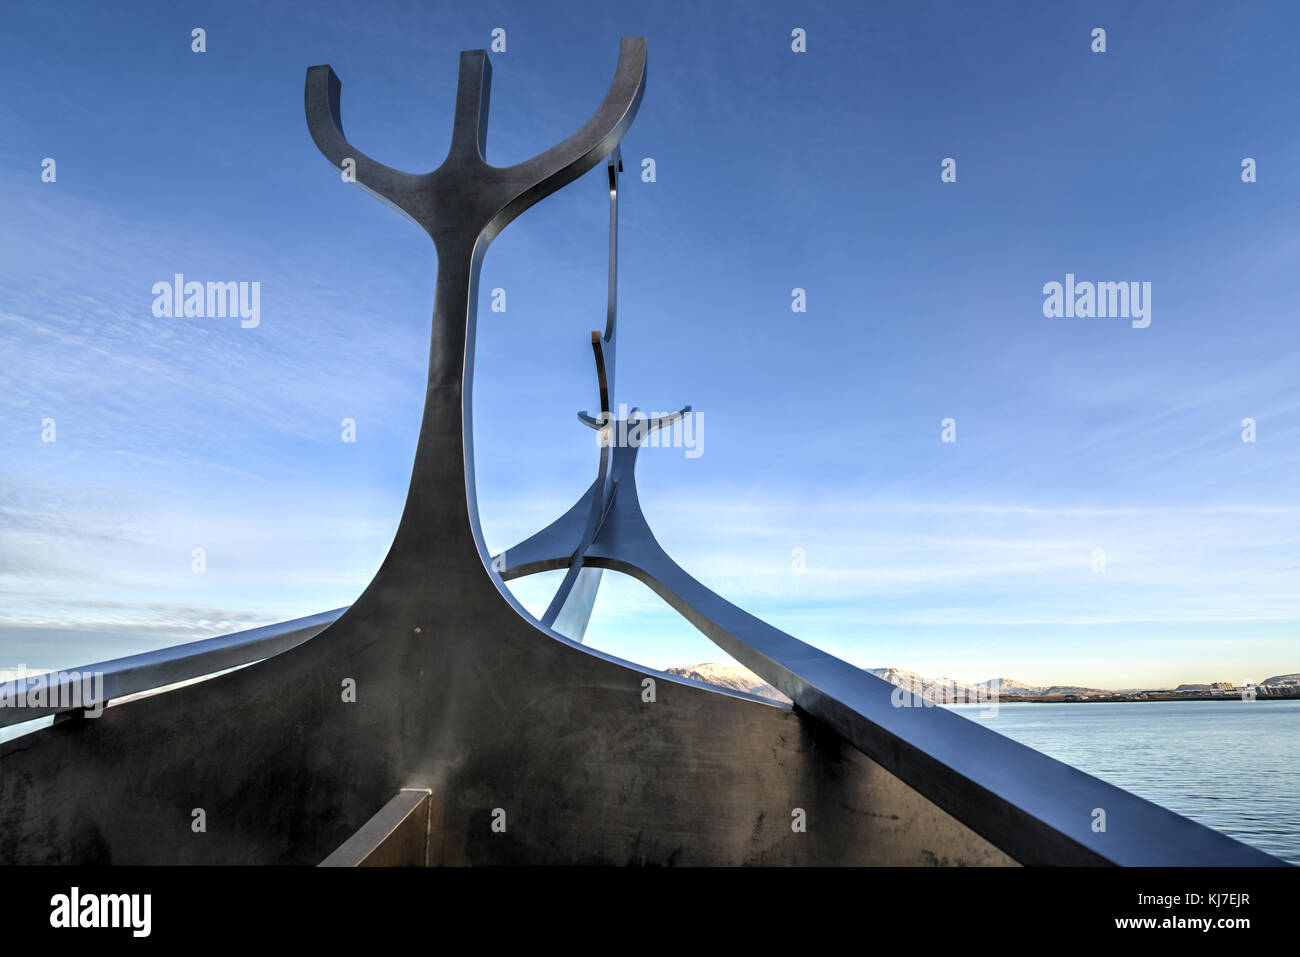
{"x": 1232, "y": 765}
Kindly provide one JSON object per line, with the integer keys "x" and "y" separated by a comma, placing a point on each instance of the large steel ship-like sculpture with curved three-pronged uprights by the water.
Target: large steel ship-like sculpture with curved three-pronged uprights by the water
{"x": 469, "y": 712}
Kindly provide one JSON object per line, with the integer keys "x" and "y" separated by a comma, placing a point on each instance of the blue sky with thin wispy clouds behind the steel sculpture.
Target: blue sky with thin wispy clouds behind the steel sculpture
{"x": 821, "y": 431}
